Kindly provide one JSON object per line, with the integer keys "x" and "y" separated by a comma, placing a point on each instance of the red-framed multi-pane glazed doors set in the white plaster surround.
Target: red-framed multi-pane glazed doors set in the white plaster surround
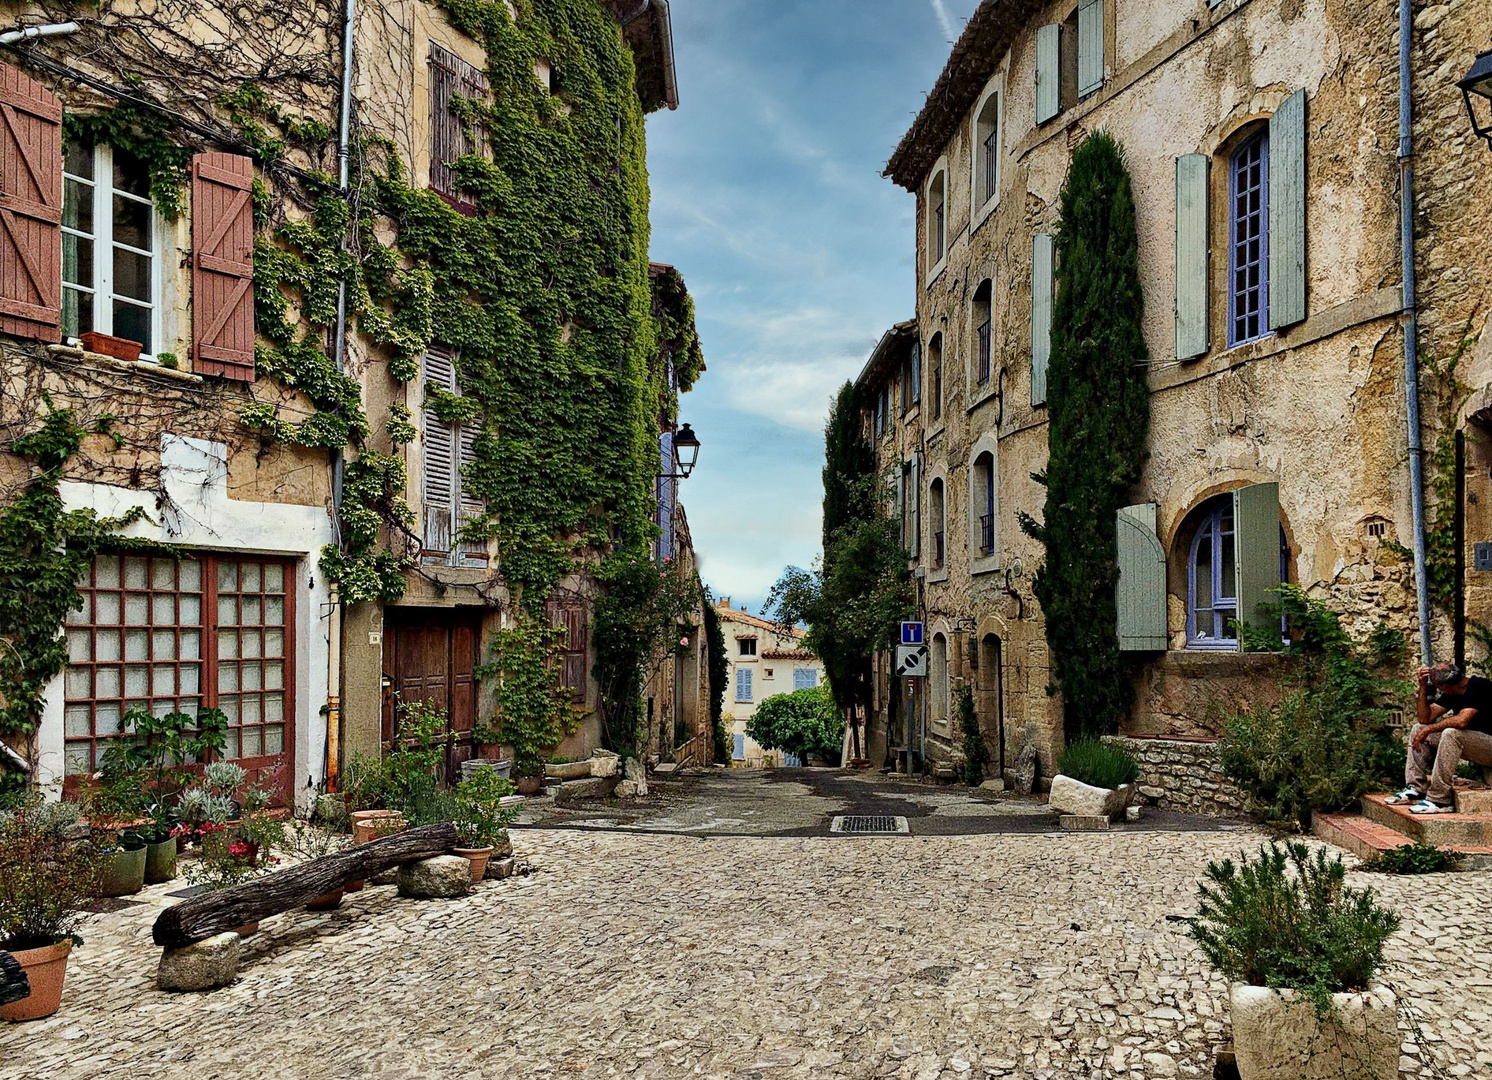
{"x": 142, "y": 641}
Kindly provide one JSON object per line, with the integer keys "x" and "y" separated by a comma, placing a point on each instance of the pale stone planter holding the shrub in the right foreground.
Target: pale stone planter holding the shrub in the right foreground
{"x": 1276, "y": 1036}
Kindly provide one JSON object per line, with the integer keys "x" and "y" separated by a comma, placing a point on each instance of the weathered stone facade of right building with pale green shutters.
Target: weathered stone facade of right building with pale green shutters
{"x": 1263, "y": 144}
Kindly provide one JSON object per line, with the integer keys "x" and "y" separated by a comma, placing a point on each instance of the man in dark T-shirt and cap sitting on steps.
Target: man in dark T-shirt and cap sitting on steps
{"x": 1457, "y": 726}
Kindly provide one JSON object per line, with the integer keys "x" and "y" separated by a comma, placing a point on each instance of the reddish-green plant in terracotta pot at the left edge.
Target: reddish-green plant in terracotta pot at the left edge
{"x": 46, "y": 879}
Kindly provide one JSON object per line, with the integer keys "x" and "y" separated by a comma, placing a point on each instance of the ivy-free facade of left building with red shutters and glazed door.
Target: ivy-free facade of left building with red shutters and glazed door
{"x": 236, "y": 612}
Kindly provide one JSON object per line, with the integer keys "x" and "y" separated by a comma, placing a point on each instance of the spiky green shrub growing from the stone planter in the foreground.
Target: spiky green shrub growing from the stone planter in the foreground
{"x": 1288, "y": 921}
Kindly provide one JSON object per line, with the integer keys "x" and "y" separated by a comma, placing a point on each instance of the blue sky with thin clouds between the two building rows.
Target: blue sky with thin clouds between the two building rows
{"x": 768, "y": 198}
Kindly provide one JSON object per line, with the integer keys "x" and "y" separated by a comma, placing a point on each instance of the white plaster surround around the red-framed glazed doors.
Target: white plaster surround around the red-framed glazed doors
{"x": 196, "y": 512}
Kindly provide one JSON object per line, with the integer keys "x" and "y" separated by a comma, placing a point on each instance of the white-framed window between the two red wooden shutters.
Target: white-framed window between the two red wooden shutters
{"x": 111, "y": 272}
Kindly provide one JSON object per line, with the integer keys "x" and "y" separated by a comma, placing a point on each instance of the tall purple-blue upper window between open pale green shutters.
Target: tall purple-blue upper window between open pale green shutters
{"x": 1250, "y": 241}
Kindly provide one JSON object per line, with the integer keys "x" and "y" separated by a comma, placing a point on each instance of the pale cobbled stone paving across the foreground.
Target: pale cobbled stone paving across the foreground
{"x": 926, "y": 958}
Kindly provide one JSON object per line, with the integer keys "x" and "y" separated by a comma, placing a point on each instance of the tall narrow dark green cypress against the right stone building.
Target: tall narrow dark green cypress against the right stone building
{"x": 1099, "y": 418}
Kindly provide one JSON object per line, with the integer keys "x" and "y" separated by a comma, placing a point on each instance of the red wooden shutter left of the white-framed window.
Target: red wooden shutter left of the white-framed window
{"x": 31, "y": 208}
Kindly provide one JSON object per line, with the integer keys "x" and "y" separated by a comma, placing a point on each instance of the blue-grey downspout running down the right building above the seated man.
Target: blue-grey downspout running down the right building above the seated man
{"x": 1417, "y": 450}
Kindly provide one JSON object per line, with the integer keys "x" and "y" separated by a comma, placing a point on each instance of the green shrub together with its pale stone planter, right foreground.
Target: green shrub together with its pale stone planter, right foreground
{"x": 1300, "y": 951}
